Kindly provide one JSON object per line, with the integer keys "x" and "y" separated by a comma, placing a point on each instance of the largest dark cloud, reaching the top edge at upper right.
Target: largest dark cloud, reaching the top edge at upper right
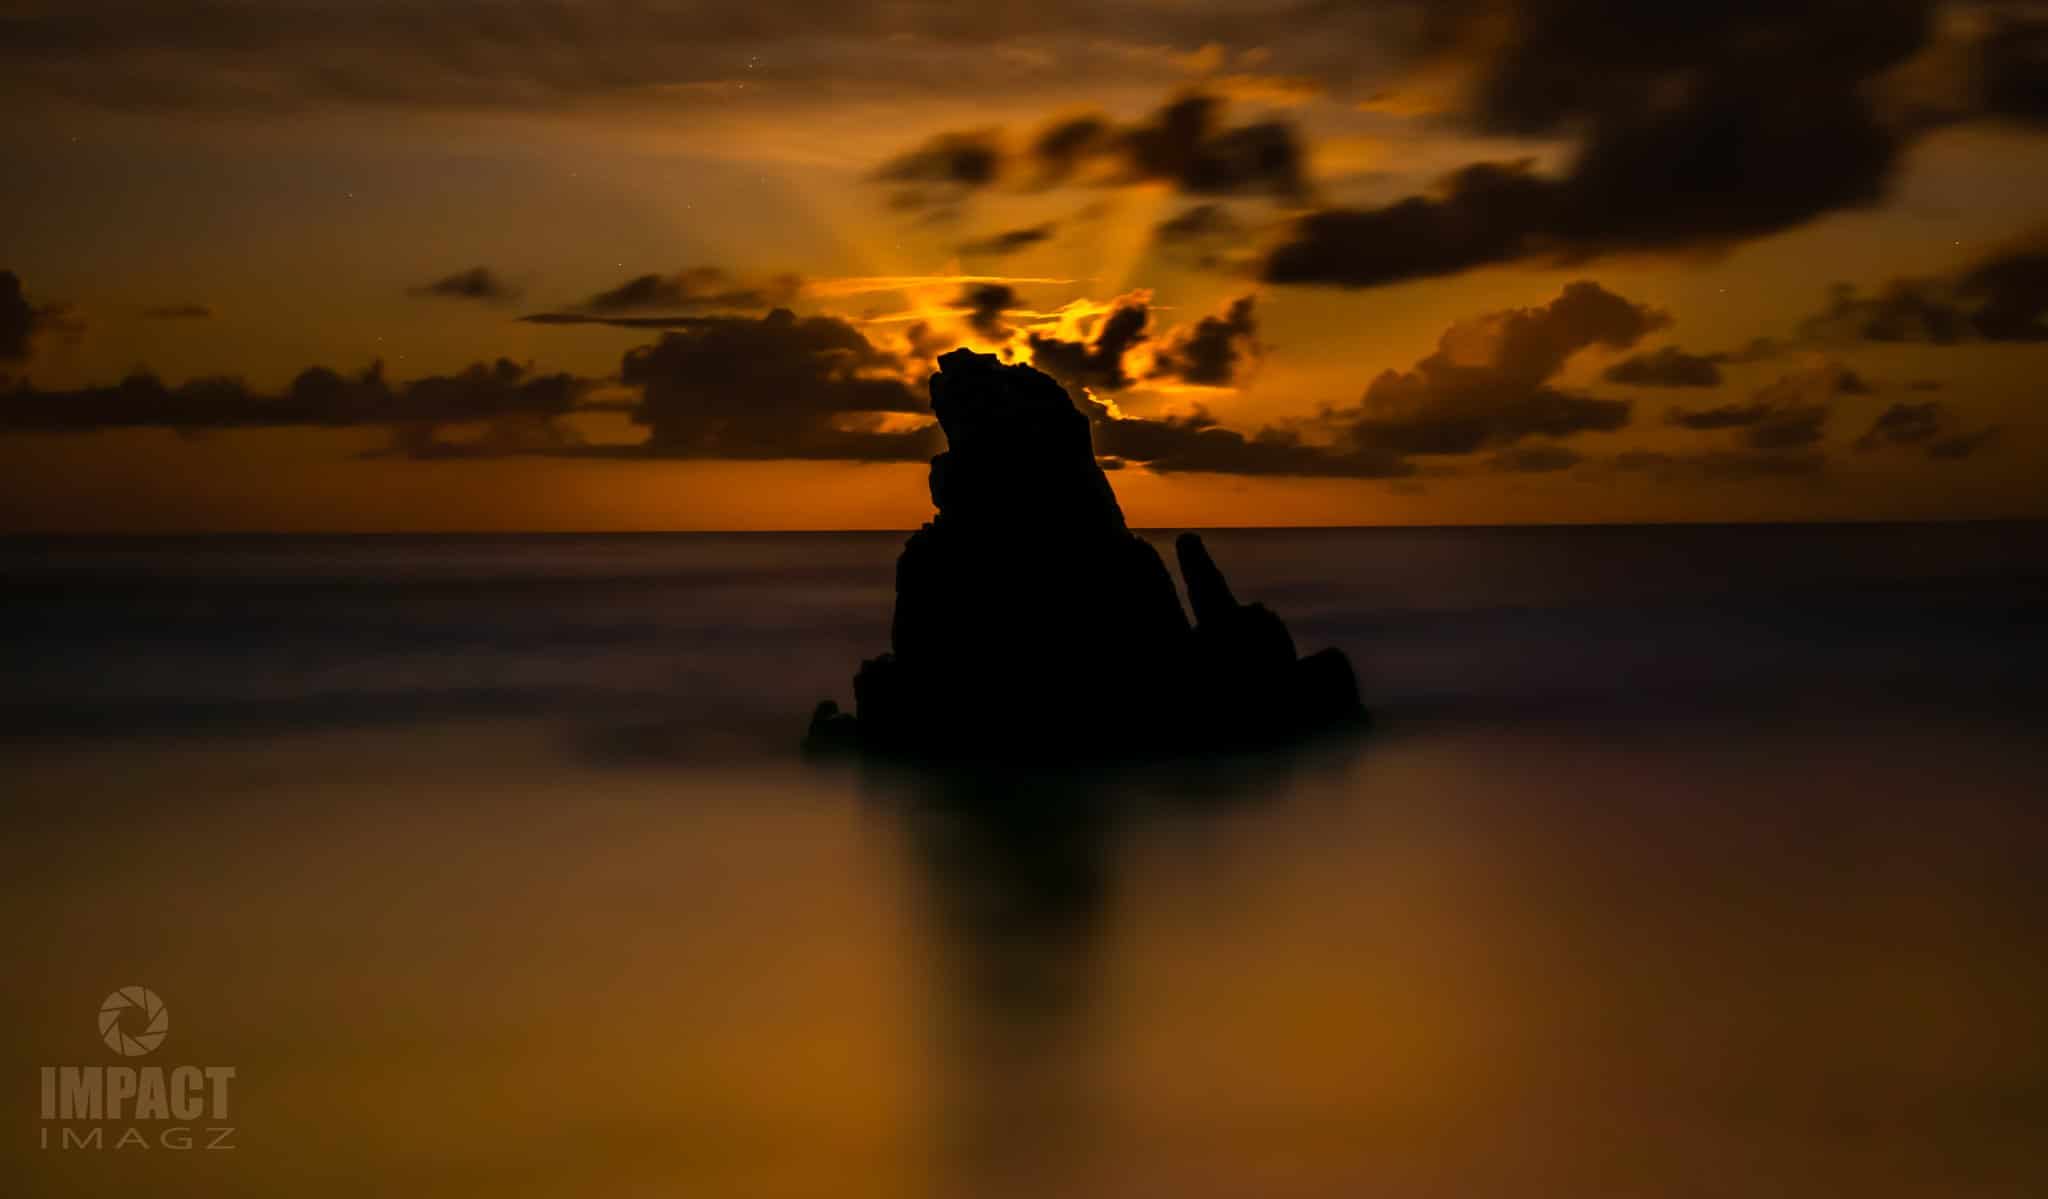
{"x": 1699, "y": 126}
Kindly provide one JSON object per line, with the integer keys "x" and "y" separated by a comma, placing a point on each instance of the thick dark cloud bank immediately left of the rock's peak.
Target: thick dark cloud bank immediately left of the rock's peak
{"x": 781, "y": 386}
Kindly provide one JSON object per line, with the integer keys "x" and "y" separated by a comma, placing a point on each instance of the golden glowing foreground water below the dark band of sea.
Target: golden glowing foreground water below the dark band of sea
{"x": 1756, "y": 956}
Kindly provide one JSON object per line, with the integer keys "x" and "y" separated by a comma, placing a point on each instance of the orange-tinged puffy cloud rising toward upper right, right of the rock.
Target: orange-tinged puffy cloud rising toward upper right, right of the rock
{"x": 1490, "y": 380}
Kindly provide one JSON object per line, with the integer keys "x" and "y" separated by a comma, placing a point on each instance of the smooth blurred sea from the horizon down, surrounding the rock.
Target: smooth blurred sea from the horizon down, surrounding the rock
{"x": 1682, "y": 862}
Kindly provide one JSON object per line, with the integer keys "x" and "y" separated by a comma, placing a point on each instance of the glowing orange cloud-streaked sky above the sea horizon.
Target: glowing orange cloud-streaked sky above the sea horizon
{"x": 300, "y": 212}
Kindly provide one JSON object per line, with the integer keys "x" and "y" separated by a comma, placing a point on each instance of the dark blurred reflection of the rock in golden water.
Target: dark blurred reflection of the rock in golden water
{"x": 1019, "y": 874}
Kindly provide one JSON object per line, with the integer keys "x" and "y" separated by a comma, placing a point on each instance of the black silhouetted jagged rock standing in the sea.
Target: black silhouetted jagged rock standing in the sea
{"x": 1033, "y": 626}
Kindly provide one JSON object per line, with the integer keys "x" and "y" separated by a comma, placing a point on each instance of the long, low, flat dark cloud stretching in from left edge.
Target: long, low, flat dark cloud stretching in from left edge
{"x": 318, "y": 399}
